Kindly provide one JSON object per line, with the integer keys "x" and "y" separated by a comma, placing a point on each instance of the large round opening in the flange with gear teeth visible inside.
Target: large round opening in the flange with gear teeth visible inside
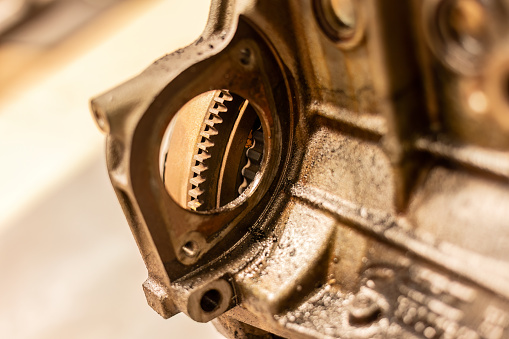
{"x": 212, "y": 151}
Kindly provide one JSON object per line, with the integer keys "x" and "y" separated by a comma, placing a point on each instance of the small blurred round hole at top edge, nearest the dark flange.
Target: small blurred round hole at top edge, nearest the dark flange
{"x": 337, "y": 18}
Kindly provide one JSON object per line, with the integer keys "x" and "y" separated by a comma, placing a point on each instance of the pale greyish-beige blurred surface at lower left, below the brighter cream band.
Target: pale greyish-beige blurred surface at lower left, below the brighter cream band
{"x": 70, "y": 269}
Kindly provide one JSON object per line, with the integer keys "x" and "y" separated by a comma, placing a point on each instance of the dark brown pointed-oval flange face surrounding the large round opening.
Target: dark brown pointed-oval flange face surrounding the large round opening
{"x": 243, "y": 67}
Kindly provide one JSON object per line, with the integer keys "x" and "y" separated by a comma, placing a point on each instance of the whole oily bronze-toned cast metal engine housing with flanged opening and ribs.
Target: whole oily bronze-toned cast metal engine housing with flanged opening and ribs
{"x": 380, "y": 184}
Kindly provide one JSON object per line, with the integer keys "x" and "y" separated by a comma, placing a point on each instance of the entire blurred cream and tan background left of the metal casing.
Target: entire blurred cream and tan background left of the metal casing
{"x": 69, "y": 267}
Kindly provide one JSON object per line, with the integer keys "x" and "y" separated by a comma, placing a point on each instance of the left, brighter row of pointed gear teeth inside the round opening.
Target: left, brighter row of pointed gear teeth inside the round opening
{"x": 208, "y": 132}
